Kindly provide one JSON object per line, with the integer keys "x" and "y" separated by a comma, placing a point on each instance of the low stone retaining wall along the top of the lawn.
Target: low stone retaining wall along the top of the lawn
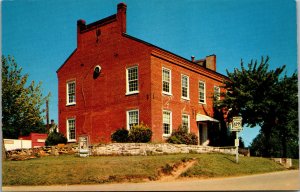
{"x": 117, "y": 149}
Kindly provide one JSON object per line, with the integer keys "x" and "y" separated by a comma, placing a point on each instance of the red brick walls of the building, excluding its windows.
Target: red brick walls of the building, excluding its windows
{"x": 101, "y": 103}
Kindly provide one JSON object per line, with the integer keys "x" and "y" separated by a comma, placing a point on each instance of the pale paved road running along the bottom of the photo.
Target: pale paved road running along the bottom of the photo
{"x": 285, "y": 180}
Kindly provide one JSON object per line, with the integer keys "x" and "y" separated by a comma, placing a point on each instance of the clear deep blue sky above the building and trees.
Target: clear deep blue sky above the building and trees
{"x": 41, "y": 34}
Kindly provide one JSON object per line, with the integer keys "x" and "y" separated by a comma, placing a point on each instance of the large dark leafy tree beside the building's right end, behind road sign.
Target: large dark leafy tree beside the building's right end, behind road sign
{"x": 262, "y": 98}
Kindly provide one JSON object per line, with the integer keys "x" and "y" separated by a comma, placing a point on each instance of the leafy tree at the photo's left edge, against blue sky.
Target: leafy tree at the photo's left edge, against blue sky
{"x": 21, "y": 101}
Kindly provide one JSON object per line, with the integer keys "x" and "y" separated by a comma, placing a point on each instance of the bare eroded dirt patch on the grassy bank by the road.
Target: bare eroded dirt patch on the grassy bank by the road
{"x": 172, "y": 172}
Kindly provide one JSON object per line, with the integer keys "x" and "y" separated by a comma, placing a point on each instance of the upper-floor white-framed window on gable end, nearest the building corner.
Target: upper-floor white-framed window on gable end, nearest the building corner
{"x": 132, "y": 81}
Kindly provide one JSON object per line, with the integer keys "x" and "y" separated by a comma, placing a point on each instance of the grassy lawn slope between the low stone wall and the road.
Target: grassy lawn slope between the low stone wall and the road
{"x": 69, "y": 169}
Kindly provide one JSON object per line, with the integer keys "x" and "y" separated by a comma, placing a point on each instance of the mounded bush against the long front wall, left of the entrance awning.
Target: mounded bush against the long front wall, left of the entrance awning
{"x": 181, "y": 136}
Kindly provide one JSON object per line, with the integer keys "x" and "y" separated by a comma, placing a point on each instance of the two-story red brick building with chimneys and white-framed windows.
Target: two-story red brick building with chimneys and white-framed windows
{"x": 113, "y": 80}
